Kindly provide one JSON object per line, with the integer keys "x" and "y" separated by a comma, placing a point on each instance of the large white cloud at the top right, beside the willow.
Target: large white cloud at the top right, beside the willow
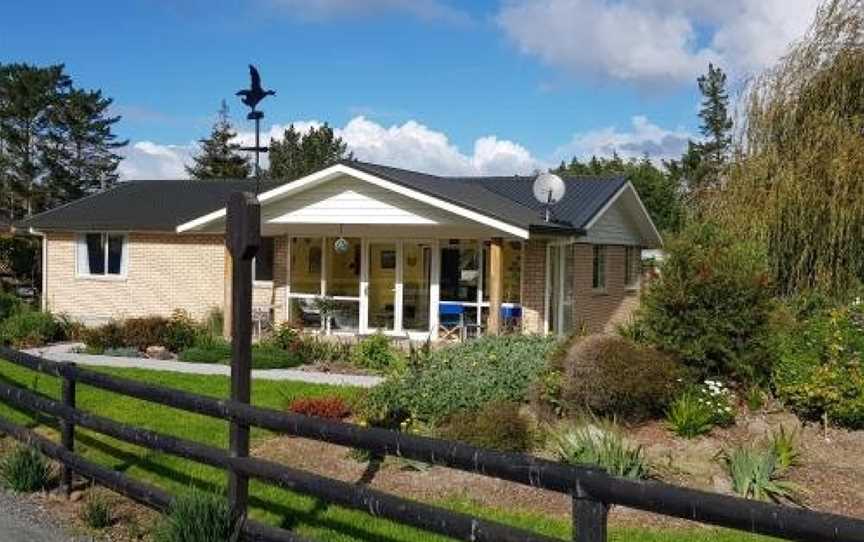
{"x": 655, "y": 41}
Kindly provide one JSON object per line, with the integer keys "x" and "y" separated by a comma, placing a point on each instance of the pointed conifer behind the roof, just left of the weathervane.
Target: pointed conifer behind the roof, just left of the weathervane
{"x": 220, "y": 157}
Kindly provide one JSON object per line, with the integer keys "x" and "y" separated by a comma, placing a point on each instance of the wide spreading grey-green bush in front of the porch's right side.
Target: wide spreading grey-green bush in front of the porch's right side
{"x": 460, "y": 377}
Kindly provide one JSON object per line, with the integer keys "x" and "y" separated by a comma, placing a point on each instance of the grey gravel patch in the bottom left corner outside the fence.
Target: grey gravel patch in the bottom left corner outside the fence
{"x": 24, "y": 521}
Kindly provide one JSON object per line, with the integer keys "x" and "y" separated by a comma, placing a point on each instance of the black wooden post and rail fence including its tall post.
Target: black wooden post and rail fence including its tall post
{"x": 592, "y": 491}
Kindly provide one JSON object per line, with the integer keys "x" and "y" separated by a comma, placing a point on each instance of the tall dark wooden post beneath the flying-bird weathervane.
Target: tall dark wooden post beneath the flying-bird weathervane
{"x": 243, "y": 237}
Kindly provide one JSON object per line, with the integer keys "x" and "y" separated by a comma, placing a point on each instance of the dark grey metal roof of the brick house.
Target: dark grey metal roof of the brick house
{"x": 163, "y": 205}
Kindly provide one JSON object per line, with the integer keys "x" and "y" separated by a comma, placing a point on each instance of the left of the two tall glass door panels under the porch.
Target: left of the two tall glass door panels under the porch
{"x": 381, "y": 292}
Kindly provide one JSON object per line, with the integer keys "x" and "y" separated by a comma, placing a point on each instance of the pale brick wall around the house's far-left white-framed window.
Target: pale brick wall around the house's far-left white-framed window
{"x": 164, "y": 272}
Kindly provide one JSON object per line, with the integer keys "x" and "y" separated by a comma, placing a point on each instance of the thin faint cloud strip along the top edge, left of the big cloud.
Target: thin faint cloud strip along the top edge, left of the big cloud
{"x": 330, "y": 9}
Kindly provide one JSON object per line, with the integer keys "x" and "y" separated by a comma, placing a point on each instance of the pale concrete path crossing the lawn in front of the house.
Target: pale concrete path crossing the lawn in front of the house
{"x": 61, "y": 352}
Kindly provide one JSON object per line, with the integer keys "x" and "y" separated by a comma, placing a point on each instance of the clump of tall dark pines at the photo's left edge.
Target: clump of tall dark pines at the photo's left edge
{"x": 57, "y": 140}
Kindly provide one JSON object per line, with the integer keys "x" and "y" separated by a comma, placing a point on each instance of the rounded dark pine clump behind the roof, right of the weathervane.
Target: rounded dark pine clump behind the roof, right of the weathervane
{"x": 297, "y": 155}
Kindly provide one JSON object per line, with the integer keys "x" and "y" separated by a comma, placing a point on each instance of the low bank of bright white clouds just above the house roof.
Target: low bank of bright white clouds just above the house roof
{"x": 411, "y": 145}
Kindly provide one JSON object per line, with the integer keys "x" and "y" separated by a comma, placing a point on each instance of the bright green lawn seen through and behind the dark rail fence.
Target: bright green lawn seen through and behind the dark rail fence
{"x": 306, "y": 515}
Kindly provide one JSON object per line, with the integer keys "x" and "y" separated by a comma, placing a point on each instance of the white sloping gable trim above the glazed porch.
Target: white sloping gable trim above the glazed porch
{"x": 342, "y": 169}
